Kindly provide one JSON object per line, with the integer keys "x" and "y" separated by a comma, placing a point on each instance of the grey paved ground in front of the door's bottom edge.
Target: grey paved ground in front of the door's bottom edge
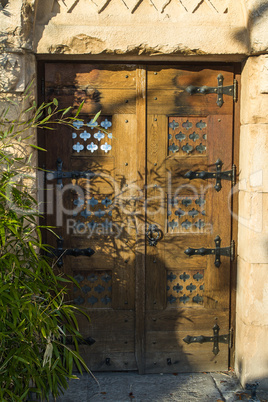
{"x": 125, "y": 387}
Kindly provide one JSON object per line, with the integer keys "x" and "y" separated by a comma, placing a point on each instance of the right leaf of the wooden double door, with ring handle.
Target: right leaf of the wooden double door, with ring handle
{"x": 186, "y": 133}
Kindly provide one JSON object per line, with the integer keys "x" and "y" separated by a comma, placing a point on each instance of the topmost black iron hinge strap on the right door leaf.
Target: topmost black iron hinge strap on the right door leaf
{"x": 220, "y": 90}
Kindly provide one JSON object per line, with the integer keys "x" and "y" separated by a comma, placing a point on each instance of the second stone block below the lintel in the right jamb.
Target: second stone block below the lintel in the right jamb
{"x": 253, "y": 164}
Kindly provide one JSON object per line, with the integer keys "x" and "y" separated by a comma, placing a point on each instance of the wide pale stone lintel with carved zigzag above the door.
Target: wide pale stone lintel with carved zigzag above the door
{"x": 135, "y": 27}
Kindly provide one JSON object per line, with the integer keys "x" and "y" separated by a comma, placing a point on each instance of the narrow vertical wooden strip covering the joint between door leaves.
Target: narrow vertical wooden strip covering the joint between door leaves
{"x": 140, "y": 219}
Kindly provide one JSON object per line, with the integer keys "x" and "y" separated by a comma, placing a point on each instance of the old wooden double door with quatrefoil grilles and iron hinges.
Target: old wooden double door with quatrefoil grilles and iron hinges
{"x": 124, "y": 194}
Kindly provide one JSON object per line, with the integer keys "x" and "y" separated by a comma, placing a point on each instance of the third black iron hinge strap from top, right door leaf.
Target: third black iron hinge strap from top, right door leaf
{"x": 217, "y": 251}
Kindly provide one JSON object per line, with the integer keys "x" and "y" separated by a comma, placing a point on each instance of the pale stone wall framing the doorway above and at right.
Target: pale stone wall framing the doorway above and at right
{"x": 183, "y": 30}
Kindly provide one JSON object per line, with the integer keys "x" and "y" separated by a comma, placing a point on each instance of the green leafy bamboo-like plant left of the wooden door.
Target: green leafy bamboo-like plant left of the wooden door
{"x": 35, "y": 319}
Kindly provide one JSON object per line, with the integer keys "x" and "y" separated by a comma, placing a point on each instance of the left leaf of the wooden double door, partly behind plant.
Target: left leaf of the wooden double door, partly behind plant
{"x": 99, "y": 207}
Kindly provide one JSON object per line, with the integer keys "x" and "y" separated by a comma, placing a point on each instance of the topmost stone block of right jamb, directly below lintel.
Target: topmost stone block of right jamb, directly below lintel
{"x": 254, "y": 87}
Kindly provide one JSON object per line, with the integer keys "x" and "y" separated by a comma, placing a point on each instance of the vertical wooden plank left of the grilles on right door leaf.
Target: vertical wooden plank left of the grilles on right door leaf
{"x": 156, "y": 209}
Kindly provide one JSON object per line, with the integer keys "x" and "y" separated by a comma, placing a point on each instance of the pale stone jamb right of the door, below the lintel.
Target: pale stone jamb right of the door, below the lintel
{"x": 252, "y": 283}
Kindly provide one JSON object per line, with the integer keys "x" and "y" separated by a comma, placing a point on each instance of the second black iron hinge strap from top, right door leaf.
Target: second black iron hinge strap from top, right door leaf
{"x": 218, "y": 175}
